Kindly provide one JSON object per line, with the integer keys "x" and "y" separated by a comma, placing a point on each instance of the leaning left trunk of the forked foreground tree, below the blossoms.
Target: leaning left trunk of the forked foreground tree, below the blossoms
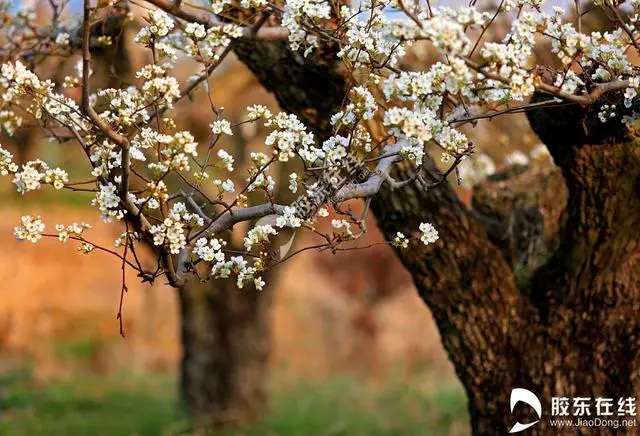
{"x": 467, "y": 284}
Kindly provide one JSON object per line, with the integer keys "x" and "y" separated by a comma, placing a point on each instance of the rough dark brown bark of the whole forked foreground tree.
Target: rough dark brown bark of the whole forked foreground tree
{"x": 536, "y": 286}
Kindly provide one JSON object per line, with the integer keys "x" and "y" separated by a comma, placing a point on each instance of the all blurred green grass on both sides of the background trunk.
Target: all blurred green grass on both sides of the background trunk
{"x": 114, "y": 406}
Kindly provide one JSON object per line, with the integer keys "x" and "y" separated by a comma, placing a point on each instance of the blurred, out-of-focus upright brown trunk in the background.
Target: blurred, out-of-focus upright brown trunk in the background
{"x": 226, "y": 342}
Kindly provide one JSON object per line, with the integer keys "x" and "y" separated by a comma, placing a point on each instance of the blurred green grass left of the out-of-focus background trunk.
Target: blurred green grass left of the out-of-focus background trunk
{"x": 91, "y": 405}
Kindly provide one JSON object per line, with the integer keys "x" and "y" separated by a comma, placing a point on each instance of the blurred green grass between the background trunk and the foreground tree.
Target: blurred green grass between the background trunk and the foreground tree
{"x": 351, "y": 407}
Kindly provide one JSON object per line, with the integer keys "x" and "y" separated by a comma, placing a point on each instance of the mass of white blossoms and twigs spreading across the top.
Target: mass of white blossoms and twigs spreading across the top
{"x": 183, "y": 191}
